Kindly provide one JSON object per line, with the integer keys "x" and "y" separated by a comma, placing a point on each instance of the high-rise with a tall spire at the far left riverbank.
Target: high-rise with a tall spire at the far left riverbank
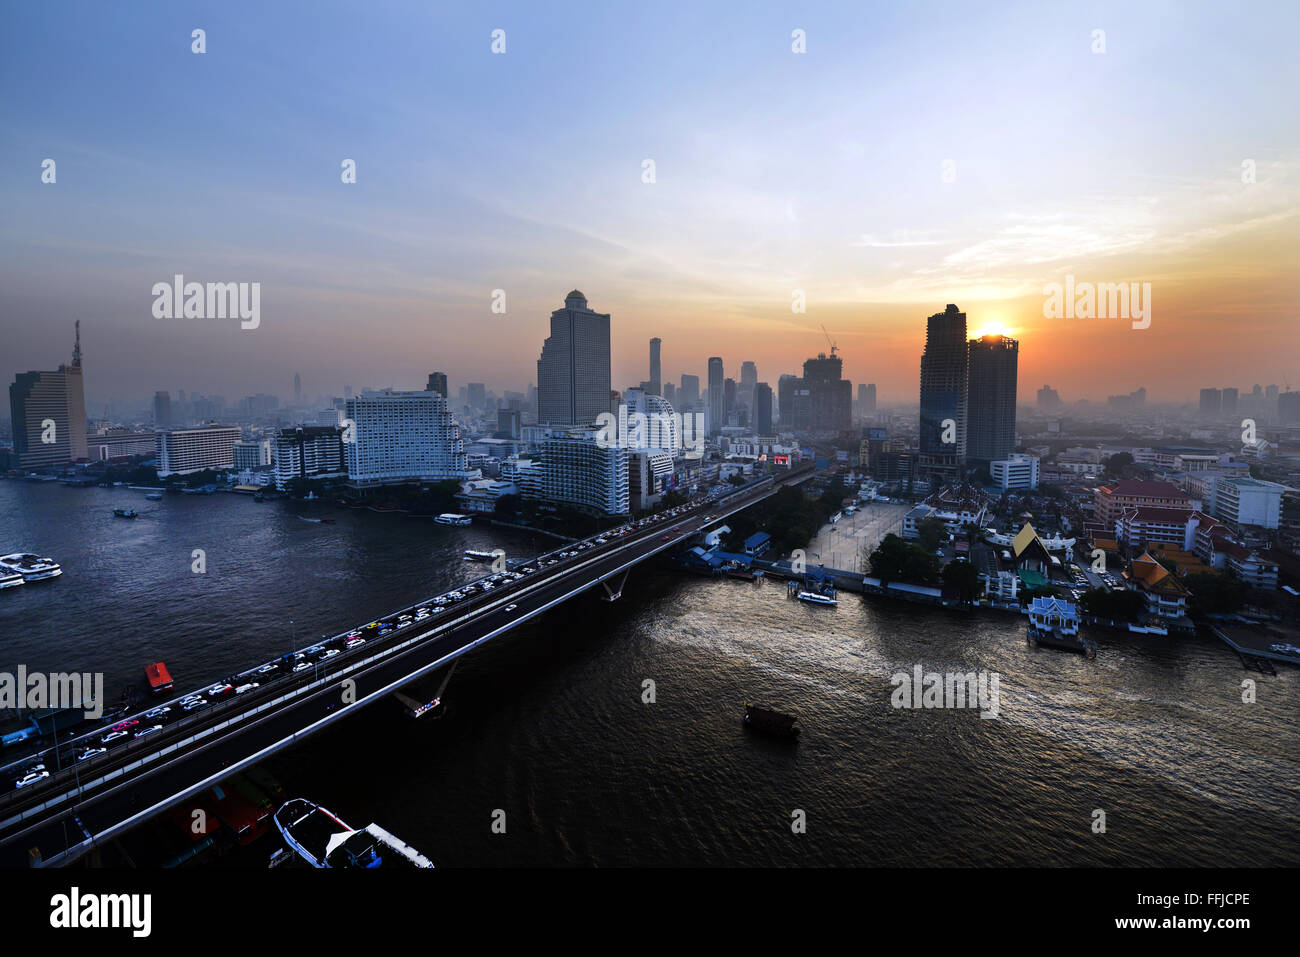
{"x": 49, "y": 414}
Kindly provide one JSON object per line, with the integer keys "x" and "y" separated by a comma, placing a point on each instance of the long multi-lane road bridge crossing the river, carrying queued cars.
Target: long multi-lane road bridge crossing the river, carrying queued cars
{"x": 90, "y": 798}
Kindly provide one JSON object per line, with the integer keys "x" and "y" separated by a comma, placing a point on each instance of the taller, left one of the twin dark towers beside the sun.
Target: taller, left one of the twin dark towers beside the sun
{"x": 943, "y": 395}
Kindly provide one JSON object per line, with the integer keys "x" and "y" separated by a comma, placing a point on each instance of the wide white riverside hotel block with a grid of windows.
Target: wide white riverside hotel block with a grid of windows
{"x": 404, "y": 438}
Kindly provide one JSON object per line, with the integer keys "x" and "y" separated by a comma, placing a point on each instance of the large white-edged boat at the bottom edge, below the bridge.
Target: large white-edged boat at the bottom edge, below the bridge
{"x": 324, "y": 841}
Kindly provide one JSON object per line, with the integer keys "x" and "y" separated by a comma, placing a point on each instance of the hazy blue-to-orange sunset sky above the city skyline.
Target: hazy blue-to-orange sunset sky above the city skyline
{"x": 916, "y": 155}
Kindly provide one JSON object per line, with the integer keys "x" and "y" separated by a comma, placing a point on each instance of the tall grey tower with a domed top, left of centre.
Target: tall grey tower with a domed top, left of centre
{"x": 574, "y": 370}
